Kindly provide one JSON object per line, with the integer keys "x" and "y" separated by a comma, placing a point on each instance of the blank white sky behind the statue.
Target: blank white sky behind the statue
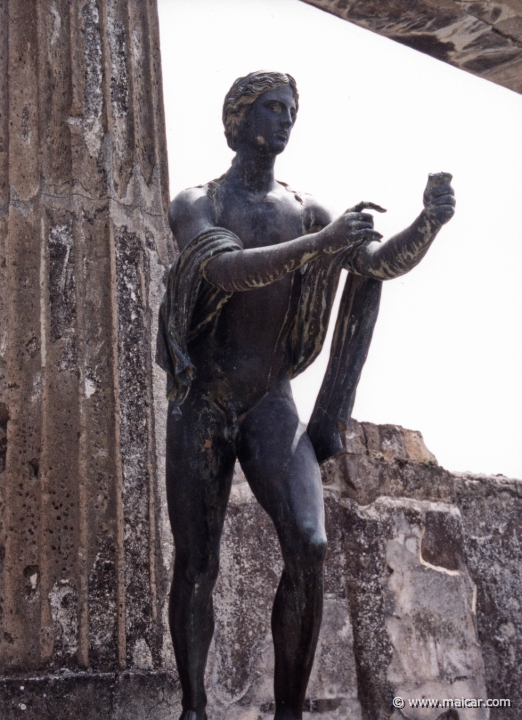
{"x": 375, "y": 118}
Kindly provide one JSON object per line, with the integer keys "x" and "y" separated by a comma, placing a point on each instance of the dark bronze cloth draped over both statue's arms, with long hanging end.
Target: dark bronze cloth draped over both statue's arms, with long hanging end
{"x": 190, "y": 303}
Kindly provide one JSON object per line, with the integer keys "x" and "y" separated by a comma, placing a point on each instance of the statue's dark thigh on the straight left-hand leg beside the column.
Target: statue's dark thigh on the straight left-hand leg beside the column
{"x": 200, "y": 465}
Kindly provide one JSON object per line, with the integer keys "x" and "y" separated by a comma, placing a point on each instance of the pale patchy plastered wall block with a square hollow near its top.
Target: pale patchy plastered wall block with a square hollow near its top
{"x": 413, "y": 604}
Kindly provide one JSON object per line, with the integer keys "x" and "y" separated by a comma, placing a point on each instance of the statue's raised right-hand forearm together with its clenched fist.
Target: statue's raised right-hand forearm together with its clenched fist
{"x": 401, "y": 253}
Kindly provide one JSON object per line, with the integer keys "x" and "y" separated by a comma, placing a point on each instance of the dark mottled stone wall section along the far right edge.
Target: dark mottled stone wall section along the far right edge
{"x": 492, "y": 516}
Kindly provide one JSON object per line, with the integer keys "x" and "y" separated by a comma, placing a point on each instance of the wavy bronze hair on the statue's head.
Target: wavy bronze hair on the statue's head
{"x": 244, "y": 92}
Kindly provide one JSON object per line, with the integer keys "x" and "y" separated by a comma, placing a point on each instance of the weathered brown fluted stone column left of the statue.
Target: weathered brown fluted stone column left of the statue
{"x": 83, "y": 252}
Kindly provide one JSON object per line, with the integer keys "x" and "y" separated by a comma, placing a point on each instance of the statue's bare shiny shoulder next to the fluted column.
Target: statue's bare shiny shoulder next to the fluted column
{"x": 191, "y": 213}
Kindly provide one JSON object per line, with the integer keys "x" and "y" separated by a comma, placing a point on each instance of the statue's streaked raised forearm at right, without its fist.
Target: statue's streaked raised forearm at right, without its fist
{"x": 398, "y": 255}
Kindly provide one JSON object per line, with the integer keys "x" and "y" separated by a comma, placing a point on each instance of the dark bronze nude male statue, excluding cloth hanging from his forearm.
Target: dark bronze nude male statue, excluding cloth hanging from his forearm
{"x": 246, "y": 309}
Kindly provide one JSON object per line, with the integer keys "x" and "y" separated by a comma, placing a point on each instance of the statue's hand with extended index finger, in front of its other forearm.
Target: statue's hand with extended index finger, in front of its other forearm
{"x": 351, "y": 229}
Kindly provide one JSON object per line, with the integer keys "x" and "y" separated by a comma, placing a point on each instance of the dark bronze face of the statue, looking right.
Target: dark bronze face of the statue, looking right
{"x": 269, "y": 122}
